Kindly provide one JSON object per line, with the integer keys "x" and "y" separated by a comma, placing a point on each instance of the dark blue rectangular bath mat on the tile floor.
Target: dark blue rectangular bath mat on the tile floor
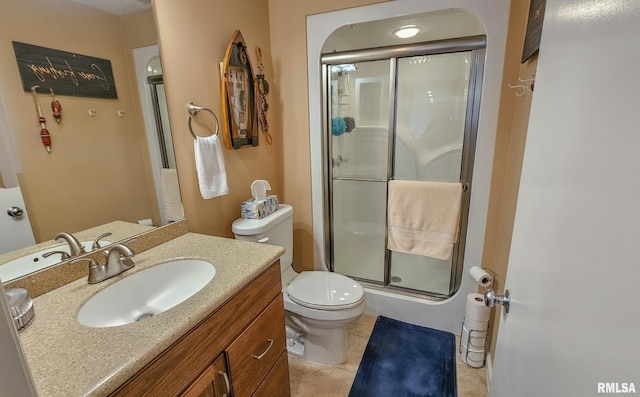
{"x": 406, "y": 360}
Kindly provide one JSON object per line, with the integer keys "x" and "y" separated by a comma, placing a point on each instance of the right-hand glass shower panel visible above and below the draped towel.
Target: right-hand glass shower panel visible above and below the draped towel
{"x": 431, "y": 107}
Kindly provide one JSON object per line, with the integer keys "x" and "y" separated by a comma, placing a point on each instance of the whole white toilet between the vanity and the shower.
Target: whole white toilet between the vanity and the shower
{"x": 319, "y": 305}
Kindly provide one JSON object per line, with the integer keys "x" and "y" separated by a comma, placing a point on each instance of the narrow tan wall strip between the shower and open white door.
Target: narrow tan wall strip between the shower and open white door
{"x": 509, "y": 151}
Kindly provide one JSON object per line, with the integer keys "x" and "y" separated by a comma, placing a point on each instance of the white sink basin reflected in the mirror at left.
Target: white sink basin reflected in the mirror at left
{"x": 34, "y": 261}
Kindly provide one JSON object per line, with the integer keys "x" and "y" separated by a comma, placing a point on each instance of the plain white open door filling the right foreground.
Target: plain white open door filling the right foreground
{"x": 574, "y": 272}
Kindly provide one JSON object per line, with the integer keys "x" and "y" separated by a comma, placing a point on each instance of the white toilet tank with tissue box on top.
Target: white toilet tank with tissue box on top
{"x": 274, "y": 229}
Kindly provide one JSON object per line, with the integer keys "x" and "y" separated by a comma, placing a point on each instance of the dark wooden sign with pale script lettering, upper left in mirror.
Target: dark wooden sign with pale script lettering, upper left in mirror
{"x": 64, "y": 72}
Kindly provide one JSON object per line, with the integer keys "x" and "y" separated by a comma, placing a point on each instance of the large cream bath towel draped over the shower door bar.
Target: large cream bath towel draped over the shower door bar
{"x": 424, "y": 217}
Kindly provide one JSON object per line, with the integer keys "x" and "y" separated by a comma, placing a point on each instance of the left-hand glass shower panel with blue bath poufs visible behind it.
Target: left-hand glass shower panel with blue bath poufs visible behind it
{"x": 360, "y": 167}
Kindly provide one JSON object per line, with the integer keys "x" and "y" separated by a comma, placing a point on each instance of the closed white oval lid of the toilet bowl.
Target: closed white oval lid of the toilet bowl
{"x": 325, "y": 291}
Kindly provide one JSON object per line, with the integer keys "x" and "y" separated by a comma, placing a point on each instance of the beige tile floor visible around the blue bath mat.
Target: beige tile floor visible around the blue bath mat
{"x": 311, "y": 380}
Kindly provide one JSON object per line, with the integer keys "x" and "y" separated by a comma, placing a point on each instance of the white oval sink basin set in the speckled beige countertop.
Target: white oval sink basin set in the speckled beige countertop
{"x": 146, "y": 293}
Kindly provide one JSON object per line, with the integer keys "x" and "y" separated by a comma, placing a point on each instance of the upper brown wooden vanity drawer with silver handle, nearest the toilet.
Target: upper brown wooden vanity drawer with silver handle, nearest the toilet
{"x": 252, "y": 355}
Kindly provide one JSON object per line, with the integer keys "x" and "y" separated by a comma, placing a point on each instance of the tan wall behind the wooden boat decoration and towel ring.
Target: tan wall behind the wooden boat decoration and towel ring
{"x": 193, "y": 37}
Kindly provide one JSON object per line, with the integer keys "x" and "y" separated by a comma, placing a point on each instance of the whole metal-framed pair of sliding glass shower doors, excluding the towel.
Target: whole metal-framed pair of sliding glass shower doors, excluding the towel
{"x": 402, "y": 112}
